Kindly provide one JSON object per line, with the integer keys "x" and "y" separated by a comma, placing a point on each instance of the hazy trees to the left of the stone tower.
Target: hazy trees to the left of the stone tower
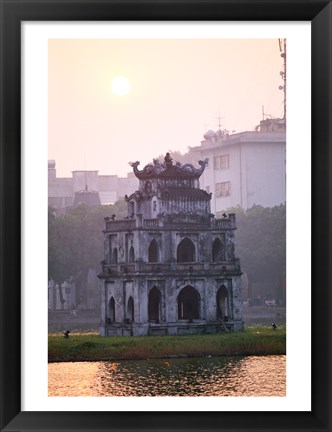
{"x": 76, "y": 244}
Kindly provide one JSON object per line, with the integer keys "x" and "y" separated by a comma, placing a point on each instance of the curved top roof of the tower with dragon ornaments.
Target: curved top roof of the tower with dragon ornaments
{"x": 168, "y": 169}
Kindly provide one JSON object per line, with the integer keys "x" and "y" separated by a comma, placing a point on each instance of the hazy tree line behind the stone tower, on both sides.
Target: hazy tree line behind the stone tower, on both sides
{"x": 76, "y": 244}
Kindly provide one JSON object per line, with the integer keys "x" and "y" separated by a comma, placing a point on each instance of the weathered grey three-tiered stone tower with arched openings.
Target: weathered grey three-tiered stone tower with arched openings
{"x": 170, "y": 266}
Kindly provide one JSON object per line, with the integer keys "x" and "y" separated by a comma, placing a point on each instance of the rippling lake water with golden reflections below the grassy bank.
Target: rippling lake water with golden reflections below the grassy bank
{"x": 215, "y": 376}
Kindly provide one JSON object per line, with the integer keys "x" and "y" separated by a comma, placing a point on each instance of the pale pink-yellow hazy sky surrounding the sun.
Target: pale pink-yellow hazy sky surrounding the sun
{"x": 179, "y": 88}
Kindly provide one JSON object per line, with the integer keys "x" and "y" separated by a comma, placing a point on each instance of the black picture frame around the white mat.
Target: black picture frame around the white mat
{"x": 13, "y": 12}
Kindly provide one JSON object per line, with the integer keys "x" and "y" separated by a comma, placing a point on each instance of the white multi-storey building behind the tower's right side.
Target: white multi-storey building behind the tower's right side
{"x": 247, "y": 168}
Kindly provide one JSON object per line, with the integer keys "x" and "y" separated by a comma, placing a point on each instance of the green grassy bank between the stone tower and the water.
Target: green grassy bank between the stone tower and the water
{"x": 253, "y": 341}
